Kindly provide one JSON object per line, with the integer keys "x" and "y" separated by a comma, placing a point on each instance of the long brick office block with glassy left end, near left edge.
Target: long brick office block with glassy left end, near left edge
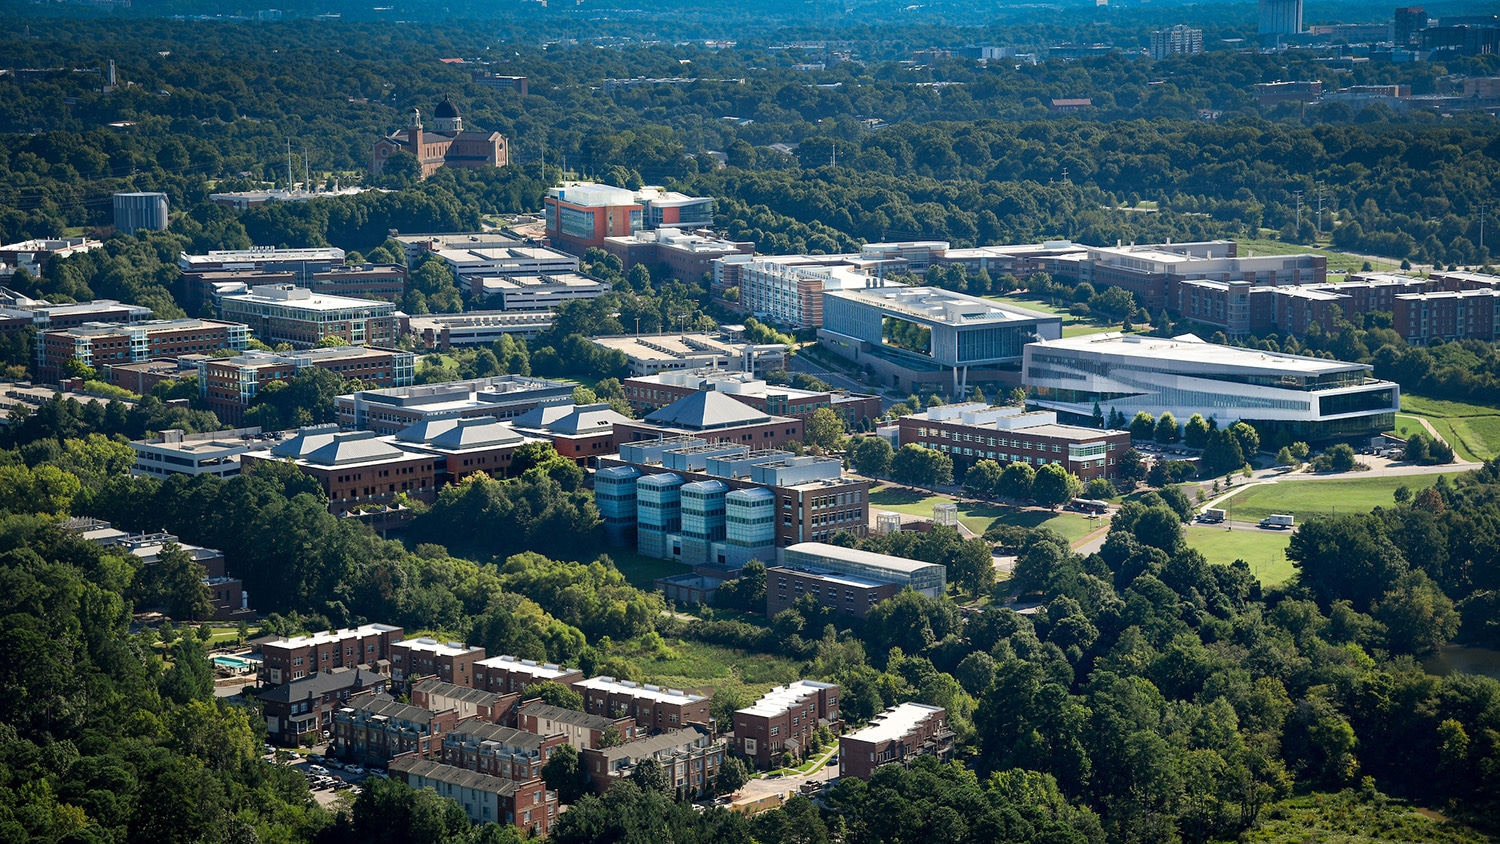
{"x": 106, "y": 344}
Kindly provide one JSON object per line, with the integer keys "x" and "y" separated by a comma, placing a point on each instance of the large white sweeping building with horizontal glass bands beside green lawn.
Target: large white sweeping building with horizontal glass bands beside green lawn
{"x": 1304, "y": 398}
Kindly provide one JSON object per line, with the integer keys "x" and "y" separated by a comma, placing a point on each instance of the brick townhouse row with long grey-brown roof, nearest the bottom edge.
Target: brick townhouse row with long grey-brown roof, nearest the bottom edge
{"x": 485, "y": 800}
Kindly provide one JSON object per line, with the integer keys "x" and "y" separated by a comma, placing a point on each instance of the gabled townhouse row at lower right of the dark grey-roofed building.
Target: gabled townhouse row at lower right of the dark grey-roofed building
{"x": 374, "y": 729}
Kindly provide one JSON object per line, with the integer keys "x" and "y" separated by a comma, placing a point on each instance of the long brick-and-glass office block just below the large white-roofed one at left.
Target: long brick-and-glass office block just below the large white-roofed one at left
{"x": 230, "y": 385}
